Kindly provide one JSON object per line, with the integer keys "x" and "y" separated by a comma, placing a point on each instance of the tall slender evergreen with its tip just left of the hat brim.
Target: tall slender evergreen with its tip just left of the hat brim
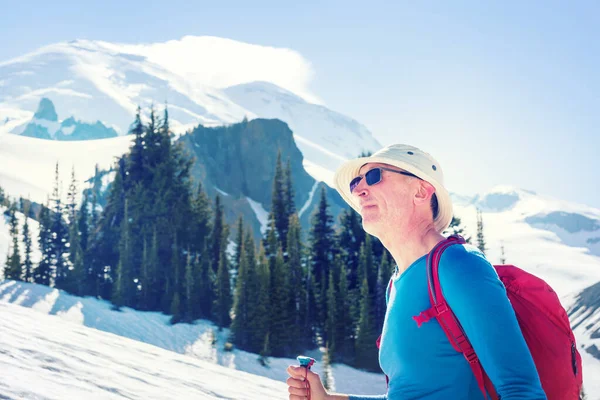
{"x": 322, "y": 241}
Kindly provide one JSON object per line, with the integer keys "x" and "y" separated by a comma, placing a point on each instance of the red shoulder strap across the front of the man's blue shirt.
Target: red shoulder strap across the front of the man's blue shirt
{"x": 446, "y": 318}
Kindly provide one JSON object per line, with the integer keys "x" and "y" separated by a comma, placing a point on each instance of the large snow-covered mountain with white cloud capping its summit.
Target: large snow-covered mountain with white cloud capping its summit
{"x": 205, "y": 80}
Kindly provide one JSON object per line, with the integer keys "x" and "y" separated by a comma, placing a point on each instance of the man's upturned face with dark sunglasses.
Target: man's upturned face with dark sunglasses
{"x": 387, "y": 203}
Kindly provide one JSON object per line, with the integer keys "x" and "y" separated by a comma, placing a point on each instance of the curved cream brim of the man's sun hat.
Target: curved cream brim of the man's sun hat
{"x": 349, "y": 170}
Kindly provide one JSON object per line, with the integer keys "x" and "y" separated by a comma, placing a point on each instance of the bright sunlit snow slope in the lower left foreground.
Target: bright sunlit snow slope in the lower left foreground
{"x": 46, "y": 357}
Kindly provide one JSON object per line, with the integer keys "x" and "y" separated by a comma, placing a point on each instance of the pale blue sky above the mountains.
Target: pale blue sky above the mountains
{"x": 499, "y": 92}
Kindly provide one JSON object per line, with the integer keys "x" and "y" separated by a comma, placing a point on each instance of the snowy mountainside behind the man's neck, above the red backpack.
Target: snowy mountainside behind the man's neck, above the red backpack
{"x": 543, "y": 249}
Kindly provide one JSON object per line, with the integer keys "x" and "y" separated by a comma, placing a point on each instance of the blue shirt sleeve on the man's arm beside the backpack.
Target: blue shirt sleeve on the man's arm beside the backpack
{"x": 478, "y": 298}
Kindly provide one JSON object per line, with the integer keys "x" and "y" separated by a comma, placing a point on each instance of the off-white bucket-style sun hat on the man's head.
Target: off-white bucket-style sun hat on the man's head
{"x": 408, "y": 158}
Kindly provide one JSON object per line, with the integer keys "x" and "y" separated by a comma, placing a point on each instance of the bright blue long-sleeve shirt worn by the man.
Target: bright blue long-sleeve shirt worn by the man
{"x": 422, "y": 364}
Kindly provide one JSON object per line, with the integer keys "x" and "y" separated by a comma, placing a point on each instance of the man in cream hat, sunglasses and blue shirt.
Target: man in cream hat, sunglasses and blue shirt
{"x": 399, "y": 192}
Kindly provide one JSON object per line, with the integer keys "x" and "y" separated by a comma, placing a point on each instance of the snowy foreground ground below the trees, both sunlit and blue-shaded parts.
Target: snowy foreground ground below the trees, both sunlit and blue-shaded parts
{"x": 68, "y": 330}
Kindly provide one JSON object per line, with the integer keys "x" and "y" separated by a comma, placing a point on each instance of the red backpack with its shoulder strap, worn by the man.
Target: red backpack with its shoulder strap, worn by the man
{"x": 543, "y": 321}
